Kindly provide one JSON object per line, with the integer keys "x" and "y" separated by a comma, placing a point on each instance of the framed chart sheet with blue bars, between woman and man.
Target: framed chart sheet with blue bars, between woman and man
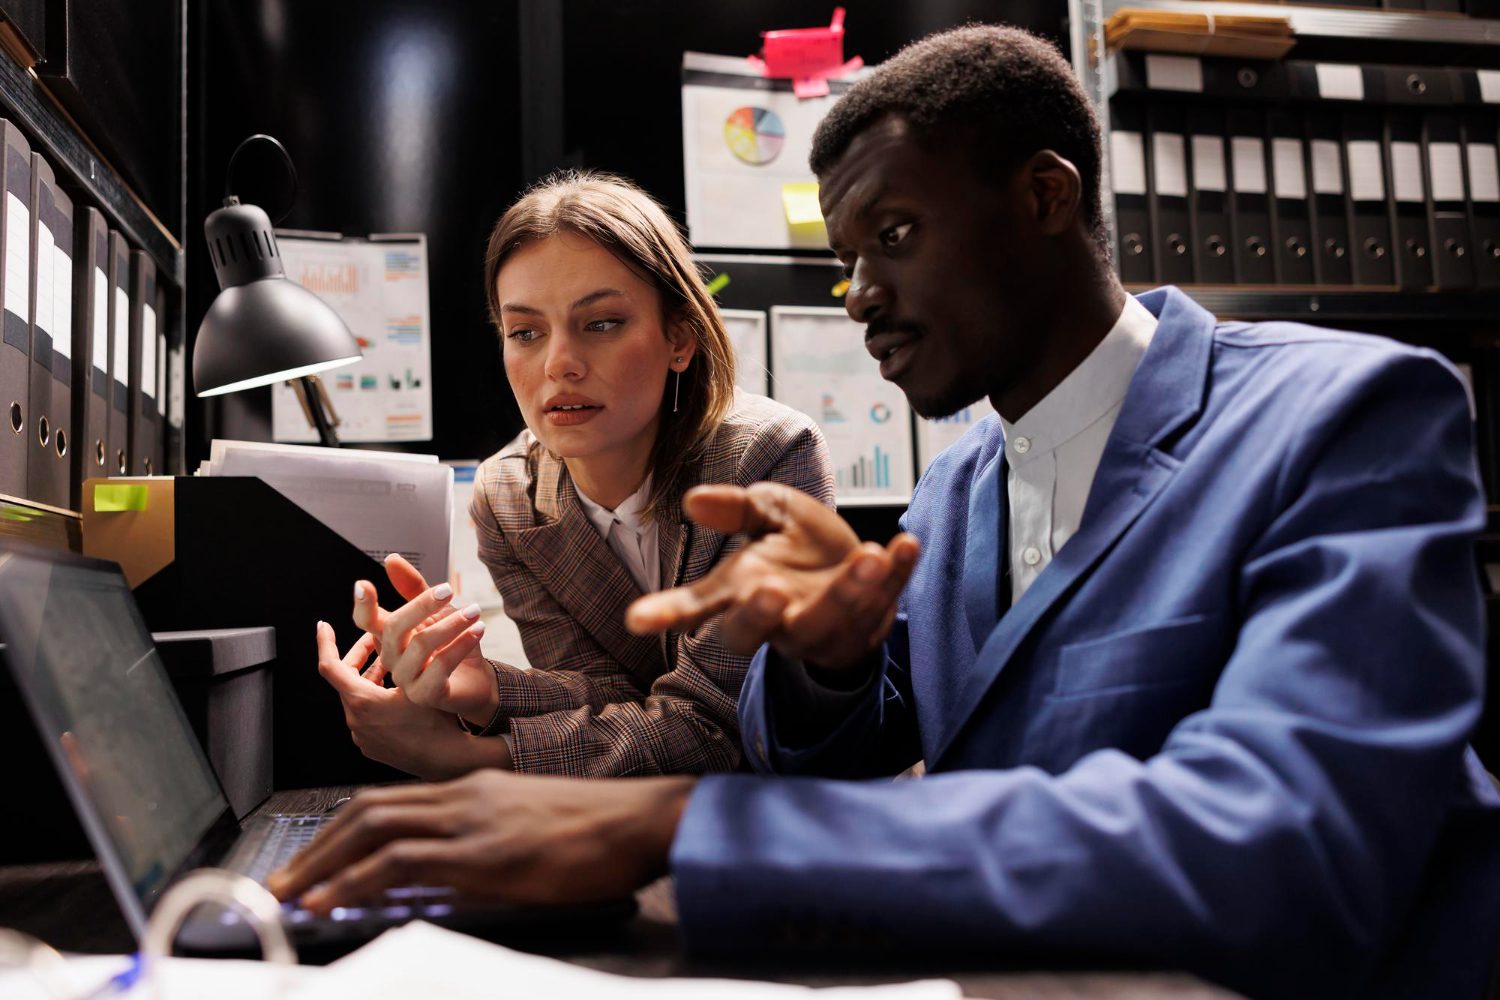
{"x": 823, "y": 370}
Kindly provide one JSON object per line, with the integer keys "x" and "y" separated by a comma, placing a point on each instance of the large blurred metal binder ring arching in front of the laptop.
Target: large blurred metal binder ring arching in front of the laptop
{"x": 226, "y": 888}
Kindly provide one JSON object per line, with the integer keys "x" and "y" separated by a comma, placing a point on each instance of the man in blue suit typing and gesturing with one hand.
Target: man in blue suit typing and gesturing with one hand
{"x": 1192, "y": 650}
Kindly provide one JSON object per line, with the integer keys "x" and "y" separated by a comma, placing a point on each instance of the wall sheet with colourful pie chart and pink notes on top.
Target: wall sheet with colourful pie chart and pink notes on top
{"x": 745, "y": 157}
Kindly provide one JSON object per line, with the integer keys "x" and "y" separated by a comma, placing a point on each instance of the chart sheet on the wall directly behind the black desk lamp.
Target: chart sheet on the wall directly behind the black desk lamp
{"x": 379, "y": 286}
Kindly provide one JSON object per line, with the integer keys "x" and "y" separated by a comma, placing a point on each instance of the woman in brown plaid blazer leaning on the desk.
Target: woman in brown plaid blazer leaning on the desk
{"x": 625, "y": 376}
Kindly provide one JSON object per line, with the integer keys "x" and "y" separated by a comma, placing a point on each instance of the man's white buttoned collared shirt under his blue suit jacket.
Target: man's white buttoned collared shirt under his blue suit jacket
{"x": 1055, "y": 449}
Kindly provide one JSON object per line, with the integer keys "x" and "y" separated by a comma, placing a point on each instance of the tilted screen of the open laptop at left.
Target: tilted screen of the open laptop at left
{"x": 85, "y": 662}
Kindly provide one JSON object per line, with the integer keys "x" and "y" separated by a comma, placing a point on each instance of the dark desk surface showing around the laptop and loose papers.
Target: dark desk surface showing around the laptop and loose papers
{"x": 70, "y": 906}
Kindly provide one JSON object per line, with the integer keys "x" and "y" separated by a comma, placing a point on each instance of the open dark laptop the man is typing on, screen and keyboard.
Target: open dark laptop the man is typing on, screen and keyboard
{"x": 146, "y": 794}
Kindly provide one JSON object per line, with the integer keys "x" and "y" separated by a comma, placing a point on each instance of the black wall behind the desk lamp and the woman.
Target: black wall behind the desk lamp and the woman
{"x": 431, "y": 116}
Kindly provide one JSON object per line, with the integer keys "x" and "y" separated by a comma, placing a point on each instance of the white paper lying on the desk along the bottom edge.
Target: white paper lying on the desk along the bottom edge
{"x": 421, "y": 960}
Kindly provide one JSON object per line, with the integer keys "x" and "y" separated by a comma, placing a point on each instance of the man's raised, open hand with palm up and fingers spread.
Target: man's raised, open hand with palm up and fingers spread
{"x": 805, "y": 582}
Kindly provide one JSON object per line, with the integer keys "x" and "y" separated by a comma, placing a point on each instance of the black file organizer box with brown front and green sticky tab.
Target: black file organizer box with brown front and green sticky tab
{"x": 230, "y": 552}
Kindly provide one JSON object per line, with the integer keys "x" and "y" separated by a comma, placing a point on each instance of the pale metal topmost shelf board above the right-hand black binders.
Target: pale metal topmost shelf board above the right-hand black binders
{"x": 1369, "y": 25}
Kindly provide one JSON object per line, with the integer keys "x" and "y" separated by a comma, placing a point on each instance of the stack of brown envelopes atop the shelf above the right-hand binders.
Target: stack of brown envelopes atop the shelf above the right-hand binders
{"x": 1199, "y": 34}
